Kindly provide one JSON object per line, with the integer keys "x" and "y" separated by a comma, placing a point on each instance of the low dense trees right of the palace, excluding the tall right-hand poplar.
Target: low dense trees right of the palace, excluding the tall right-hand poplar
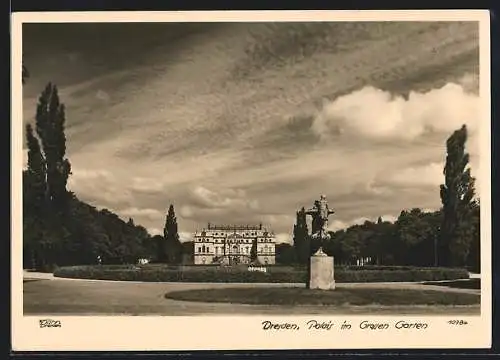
{"x": 412, "y": 239}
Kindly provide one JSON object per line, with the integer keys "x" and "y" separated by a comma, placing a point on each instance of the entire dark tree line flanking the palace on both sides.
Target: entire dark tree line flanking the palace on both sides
{"x": 59, "y": 229}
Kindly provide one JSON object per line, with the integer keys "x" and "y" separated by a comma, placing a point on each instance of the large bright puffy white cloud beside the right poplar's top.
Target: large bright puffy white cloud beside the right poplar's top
{"x": 372, "y": 113}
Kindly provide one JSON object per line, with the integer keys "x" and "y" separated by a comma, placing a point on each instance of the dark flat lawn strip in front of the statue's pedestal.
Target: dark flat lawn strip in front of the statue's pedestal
{"x": 339, "y": 296}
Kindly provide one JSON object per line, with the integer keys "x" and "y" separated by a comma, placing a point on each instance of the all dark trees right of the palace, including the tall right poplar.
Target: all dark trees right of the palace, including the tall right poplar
{"x": 448, "y": 237}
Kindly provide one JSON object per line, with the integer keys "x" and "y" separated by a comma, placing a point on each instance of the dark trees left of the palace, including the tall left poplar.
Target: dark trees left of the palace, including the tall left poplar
{"x": 58, "y": 228}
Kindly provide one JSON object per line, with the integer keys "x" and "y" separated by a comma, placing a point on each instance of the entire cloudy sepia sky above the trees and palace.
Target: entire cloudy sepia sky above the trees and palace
{"x": 245, "y": 123}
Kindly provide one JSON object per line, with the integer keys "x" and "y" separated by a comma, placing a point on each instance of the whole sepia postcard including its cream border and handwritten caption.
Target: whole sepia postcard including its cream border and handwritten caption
{"x": 336, "y": 171}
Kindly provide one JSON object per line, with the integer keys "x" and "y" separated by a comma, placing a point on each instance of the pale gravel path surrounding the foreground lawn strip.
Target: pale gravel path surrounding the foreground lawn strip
{"x": 45, "y": 294}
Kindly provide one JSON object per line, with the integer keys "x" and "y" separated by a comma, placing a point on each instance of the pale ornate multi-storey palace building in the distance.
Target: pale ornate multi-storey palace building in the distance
{"x": 232, "y": 244}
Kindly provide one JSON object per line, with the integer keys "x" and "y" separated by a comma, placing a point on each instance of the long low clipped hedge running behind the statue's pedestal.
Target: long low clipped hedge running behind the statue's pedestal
{"x": 274, "y": 274}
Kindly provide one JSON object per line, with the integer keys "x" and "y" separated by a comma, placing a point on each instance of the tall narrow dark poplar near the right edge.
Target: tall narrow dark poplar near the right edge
{"x": 457, "y": 197}
